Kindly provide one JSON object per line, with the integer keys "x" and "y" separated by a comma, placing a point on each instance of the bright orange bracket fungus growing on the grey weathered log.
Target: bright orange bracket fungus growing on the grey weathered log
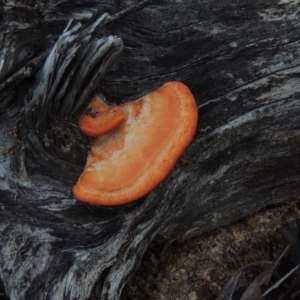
{"x": 135, "y": 145}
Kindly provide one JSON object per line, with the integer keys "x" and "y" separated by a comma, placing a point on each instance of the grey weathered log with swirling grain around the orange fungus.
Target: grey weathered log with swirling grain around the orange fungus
{"x": 241, "y": 61}
